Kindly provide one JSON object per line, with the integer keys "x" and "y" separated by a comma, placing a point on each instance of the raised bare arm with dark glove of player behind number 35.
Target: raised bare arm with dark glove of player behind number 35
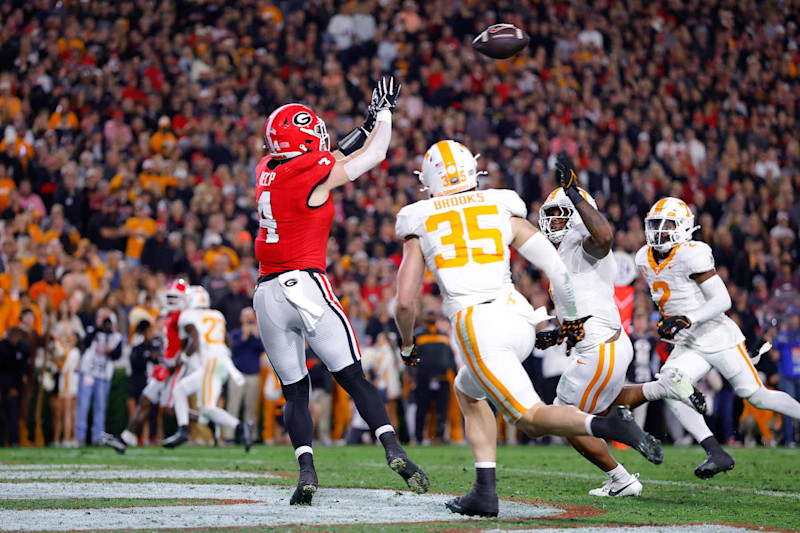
{"x": 601, "y": 237}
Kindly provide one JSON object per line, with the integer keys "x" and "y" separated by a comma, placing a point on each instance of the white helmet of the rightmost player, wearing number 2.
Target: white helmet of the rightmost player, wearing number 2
{"x": 668, "y": 223}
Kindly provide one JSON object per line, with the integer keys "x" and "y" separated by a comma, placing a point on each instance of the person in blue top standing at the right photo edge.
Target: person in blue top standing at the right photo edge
{"x": 787, "y": 348}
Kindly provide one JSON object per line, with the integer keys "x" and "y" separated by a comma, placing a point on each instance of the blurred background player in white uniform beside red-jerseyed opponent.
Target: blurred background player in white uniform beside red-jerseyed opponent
{"x": 203, "y": 332}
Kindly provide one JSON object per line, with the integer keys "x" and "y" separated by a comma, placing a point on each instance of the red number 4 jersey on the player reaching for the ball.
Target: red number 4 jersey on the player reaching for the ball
{"x": 292, "y": 235}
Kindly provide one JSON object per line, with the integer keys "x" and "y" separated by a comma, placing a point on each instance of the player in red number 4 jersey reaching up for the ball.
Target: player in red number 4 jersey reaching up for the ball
{"x": 294, "y": 301}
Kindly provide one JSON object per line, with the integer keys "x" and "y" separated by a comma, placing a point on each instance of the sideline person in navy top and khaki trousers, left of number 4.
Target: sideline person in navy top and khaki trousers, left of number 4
{"x": 246, "y": 351}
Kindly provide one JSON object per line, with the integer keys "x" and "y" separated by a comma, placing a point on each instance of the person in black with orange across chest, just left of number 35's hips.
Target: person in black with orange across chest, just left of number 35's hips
{"x": 432, "y": 387}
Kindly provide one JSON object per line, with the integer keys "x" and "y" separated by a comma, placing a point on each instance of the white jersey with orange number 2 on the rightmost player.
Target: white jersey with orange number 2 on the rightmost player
{"x": 676, "y": 293}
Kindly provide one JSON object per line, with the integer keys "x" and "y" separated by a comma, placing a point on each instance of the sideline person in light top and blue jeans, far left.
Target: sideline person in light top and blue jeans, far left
{"x": 103, "y": 346}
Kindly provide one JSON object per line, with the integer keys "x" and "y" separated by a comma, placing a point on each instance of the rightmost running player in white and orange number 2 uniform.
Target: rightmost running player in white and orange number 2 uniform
{"x": 693, "y": 299}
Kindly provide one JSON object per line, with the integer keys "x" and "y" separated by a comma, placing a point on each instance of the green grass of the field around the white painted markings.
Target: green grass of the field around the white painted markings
{"x": 763, "y": 489}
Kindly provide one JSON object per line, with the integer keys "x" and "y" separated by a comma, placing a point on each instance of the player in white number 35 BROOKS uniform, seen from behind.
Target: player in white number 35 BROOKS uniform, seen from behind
{"x": 464, "y": 236}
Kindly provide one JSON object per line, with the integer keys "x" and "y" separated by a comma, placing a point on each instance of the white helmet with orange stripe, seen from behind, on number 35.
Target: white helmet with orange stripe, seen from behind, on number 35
{"x": 449, "y": 168}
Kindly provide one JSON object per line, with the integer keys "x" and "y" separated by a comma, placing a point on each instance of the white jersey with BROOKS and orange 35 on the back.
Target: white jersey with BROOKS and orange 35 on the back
{"x": 465, "y": 239}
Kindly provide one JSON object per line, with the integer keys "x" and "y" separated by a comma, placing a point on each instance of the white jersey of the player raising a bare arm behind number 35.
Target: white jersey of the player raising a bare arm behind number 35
{"x": 593, "y": 281}
